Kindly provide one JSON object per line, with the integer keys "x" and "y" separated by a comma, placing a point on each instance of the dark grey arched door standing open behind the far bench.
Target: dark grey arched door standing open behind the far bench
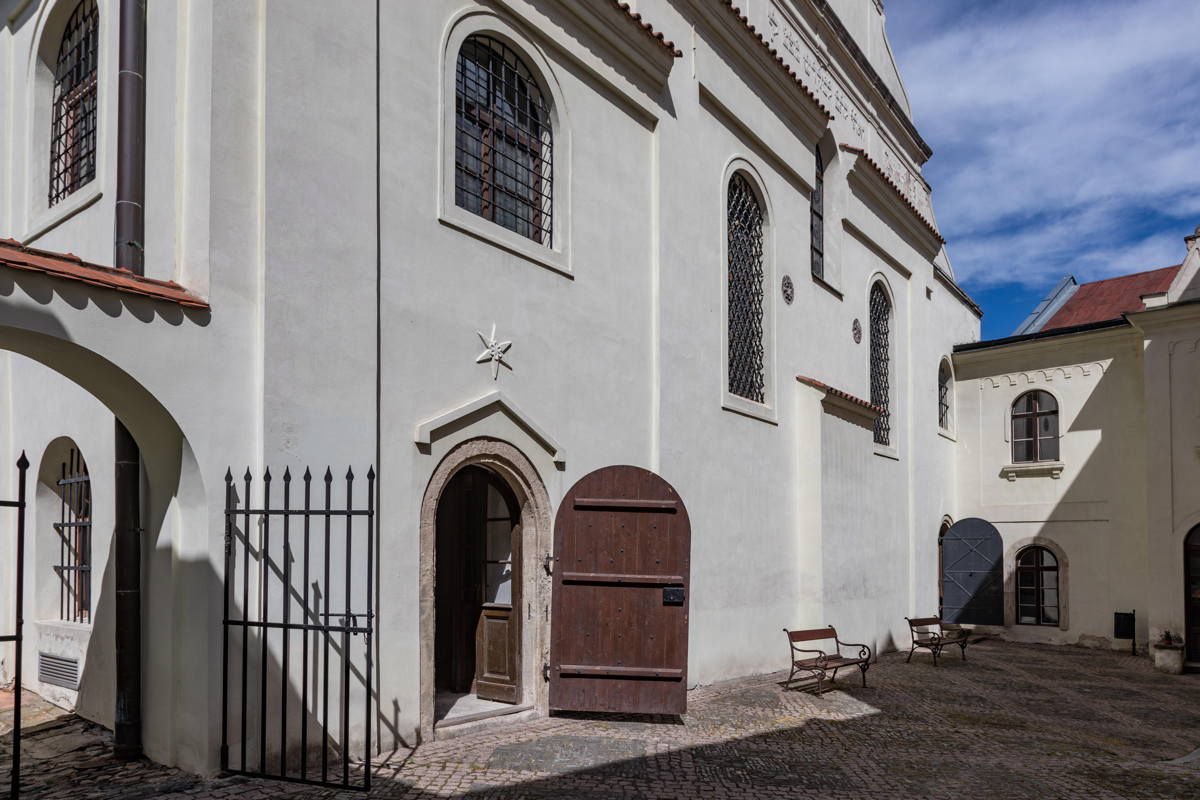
{"x": 973, "y": 574}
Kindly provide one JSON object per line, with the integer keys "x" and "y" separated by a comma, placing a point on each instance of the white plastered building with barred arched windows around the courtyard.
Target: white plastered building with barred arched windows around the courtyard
{"x": 532, "y": 239}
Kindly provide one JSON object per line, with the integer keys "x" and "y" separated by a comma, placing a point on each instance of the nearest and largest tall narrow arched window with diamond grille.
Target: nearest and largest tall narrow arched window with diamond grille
{"x": 746, "y": 287}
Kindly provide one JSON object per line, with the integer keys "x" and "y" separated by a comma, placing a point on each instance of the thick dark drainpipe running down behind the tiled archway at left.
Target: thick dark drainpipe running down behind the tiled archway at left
{"x": 128, "y": 254}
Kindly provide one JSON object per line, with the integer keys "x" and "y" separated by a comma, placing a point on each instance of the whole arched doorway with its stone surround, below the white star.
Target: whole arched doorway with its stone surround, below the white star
{"x": 484, "y": 501}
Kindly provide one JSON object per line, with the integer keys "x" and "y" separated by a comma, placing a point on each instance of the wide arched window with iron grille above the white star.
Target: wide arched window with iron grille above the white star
{"x": 503, "y": 149}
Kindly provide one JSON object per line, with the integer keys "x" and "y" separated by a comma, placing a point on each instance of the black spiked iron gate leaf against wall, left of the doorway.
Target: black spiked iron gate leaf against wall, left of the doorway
{"x": 299, "y": 611}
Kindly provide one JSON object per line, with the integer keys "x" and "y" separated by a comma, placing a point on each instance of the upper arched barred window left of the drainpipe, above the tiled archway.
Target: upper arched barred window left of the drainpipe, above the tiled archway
{"x": 74, "y": 117}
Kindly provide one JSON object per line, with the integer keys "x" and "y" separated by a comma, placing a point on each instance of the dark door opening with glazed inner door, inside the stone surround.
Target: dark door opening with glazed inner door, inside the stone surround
{"x": 477, "y": 647}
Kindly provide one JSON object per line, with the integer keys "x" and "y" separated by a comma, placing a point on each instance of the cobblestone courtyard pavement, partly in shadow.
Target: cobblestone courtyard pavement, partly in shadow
{"x": 1013, "y": 721}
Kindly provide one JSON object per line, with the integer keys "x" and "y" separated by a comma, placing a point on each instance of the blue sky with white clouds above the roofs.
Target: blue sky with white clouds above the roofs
{"x": 1066, "y": 137}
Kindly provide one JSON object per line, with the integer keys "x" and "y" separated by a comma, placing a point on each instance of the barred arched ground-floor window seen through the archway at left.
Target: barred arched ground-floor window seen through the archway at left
{"x": 74, "y": 531}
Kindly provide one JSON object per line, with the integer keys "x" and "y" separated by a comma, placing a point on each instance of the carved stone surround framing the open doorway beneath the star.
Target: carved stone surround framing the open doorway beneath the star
{"x": 536, "y": 534}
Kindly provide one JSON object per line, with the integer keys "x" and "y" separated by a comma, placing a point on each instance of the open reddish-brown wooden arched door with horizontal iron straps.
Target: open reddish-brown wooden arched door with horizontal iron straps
{"x": 621, "y": 597}
